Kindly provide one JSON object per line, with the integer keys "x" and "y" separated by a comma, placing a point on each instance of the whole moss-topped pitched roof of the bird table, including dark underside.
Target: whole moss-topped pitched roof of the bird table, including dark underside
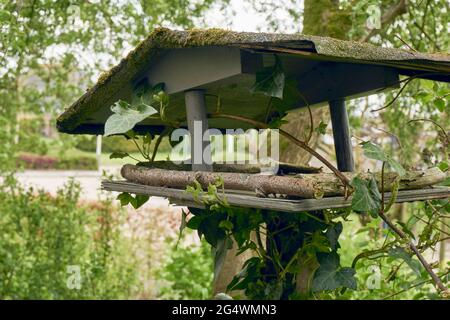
{"x": 224, "y": 63}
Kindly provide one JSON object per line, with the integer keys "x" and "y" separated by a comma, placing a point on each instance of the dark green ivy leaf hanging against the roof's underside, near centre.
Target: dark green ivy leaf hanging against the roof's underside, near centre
{"x": 270, "y": 80}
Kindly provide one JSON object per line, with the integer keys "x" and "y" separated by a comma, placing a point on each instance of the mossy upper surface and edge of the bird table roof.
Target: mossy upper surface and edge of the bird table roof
{"x": 138, "y": 59}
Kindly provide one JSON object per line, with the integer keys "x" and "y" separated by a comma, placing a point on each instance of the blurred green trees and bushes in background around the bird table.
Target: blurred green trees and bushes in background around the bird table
{"x": 51, "y": 51}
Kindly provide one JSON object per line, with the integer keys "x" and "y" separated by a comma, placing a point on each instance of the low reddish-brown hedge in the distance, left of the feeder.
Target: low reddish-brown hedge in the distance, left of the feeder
{"x": 40, "y": 162}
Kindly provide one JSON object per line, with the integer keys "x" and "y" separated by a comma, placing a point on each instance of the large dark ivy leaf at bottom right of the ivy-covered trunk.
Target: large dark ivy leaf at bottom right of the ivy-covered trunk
{"x": 330, "y": 275}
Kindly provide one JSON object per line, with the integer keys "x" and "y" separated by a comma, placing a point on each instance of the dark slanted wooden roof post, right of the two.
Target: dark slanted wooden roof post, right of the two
{"x": 341, "y": 134}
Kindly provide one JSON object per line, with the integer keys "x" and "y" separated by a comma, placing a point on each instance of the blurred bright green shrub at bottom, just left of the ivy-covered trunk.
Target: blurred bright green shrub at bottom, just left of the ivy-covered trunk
{"x": 188, "y": 272}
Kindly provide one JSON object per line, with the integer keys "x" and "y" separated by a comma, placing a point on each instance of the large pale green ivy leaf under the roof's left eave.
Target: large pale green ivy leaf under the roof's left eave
{"x": 126, "y": 116}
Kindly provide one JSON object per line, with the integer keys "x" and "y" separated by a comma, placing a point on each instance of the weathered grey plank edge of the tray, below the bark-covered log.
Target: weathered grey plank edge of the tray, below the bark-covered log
{"x": 181, "y": 197}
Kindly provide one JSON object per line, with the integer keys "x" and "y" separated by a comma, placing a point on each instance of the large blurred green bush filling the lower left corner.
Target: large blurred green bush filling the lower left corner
{"x": 49, "y": 245}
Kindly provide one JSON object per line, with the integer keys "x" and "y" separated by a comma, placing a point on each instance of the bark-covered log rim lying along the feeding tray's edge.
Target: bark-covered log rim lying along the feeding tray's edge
{"x": 301, "y": 185}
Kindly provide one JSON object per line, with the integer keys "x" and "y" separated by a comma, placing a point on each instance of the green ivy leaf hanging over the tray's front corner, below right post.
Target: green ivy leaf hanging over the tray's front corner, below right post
{"x": 366, "y": 197}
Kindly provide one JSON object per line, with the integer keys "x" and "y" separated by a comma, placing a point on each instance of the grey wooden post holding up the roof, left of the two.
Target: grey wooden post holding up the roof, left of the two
{"x": 198, "y": 124}
